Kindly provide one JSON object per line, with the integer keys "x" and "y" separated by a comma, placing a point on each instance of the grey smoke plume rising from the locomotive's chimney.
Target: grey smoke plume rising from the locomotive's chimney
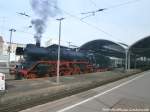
{"x": 43, "y": 9}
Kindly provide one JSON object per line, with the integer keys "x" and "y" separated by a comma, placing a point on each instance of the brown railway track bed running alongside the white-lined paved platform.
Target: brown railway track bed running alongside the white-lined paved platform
{"x": 12, "y": 107}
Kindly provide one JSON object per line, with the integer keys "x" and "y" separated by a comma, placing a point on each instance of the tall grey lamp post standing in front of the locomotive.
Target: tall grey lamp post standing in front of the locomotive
{"x": 58, "y": 58}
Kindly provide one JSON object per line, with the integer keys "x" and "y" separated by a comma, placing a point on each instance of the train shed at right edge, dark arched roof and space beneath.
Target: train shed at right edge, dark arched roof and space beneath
{"x": 139, "y": 54}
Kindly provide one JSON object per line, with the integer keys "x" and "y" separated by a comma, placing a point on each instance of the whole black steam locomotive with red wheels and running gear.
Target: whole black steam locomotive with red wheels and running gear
{"x": 42, "y": 61}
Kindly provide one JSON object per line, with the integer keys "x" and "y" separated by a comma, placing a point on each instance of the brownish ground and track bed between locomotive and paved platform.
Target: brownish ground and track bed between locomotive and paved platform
{"x": 22, "y": 94}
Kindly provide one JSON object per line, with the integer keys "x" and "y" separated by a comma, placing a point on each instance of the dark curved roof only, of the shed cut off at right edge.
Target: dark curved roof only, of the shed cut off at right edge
{"x": 141, "y": 47}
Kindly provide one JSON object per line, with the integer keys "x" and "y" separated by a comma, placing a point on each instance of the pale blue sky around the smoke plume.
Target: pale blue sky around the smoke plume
{"x": 125, "y": 23}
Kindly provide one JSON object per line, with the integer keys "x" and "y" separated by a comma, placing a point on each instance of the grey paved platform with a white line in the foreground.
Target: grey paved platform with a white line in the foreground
{"x": 130, "y": 94}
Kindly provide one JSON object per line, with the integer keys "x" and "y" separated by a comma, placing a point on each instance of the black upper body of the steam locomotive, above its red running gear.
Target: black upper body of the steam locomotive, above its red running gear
{"x": 33, "y": 53}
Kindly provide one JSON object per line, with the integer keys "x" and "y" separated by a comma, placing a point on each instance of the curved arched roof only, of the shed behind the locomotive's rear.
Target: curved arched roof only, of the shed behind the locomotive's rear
{"x": 104, "y": 47}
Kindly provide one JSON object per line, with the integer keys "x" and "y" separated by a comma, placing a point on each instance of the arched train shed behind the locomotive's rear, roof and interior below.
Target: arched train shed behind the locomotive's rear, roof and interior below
{"x": 109, "y": 50}
